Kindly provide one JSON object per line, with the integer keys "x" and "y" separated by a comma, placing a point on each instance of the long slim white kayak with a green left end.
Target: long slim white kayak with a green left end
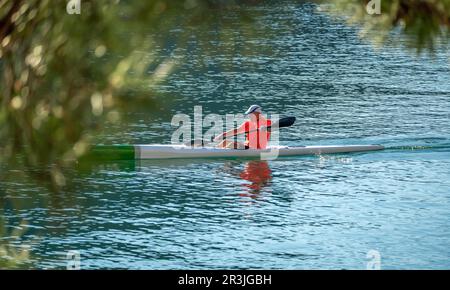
{"x": 129, "y": 152}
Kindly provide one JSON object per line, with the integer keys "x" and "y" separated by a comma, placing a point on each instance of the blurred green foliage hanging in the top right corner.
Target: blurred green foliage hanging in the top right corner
{"x": 424, "y": 24}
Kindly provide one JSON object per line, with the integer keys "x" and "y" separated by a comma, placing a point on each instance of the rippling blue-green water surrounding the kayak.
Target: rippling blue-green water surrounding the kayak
{"x": 319, "y": 212}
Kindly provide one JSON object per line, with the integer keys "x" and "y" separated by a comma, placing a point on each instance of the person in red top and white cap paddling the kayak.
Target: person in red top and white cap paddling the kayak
{"x": 255, "y": 135}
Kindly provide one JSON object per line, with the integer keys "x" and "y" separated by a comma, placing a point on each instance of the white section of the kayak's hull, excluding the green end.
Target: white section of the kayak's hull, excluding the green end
{"x": 181, "y": 151}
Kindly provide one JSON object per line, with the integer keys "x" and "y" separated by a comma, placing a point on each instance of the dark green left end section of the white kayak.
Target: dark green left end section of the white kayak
{"x": 111, "y": 152}
